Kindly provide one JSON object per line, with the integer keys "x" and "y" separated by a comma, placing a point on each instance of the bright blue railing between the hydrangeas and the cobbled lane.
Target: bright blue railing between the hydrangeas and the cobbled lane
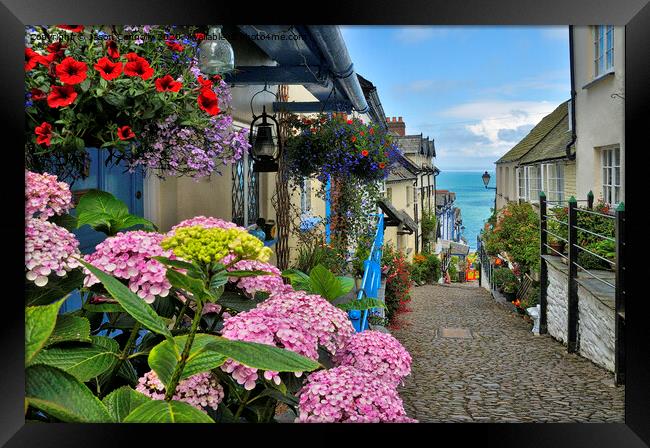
{"x": 371, "y": 280}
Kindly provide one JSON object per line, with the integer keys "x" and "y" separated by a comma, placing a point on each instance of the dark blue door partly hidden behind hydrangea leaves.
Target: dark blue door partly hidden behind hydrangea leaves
{"x": 125, "y": 186}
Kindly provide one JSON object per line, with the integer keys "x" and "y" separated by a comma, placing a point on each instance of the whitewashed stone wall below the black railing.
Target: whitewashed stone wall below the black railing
{"x": 595, "y": 315}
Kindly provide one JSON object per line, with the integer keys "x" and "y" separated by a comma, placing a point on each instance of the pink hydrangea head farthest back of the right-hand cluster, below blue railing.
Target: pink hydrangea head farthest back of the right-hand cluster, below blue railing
{"x": 329, "y": 324}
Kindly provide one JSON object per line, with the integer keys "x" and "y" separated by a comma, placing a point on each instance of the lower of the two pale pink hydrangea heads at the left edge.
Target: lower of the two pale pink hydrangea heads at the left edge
{"x": 48, "y": 249}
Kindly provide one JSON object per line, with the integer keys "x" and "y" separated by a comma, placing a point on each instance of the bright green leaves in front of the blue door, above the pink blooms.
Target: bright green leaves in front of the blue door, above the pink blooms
{"x": 105, "y": 213}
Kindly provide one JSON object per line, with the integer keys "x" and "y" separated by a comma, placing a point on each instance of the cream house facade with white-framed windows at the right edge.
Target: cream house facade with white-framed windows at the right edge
{"x": 598, "y": 63}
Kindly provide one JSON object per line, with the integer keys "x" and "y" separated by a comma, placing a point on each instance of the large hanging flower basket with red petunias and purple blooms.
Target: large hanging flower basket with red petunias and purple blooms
{"x": 136, "y": 91}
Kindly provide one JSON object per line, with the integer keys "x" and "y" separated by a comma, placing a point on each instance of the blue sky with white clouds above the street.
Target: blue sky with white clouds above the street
{"x": 477, "y": 90}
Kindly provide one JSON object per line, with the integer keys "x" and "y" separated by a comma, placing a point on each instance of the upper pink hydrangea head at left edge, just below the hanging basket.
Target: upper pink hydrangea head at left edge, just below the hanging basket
{"x": 45, "y": 195}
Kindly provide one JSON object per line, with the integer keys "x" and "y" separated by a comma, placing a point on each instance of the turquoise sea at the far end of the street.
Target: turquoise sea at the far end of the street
{"x": 474, "y": 200}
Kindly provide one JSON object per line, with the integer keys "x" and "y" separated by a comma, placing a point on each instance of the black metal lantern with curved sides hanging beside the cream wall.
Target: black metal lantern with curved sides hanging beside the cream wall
{"x": 265, "y": 143}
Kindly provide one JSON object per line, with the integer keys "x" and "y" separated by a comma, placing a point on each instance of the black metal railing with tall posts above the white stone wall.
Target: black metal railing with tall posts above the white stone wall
{"x": 575, "y": 234}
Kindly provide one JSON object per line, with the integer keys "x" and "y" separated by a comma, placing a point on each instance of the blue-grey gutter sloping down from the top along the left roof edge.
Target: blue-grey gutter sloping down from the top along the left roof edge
{"x": 329, "y": 41}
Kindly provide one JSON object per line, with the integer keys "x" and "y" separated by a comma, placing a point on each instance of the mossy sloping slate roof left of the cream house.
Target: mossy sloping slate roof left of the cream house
{"x": 541, "y": 139}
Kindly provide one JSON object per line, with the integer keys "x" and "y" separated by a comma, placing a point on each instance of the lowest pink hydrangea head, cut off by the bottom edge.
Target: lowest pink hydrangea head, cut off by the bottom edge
{"x": 347, "y": 395}
